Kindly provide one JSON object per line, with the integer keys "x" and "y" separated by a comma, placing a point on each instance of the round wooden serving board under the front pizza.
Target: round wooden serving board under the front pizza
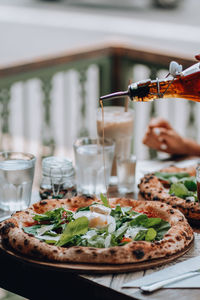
{"x": 86, "y": 268}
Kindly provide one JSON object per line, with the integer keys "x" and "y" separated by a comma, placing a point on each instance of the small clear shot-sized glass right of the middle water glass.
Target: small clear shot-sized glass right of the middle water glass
{"x": 126, "y": 174}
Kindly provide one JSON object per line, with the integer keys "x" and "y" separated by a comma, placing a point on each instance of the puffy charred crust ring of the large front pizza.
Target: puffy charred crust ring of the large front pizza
{"x": 179, "y": 236}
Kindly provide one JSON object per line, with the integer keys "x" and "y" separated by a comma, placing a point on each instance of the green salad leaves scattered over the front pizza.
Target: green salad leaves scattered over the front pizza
{"x": 77, "y": 232}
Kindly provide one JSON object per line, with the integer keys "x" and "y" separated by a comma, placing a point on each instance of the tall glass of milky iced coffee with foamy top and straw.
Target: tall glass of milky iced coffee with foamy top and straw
{"x": 118, "y": 125}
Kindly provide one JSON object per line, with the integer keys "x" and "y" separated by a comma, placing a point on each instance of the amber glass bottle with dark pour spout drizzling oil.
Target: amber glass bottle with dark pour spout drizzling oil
{"x": 180, "y": 84}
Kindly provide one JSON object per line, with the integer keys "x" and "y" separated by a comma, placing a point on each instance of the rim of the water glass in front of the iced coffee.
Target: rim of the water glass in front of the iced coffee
{"x": 94, "y": 141}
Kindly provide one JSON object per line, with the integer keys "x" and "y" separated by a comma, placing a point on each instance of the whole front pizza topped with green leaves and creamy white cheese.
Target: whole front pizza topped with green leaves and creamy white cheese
{"x": 89, "y": 230}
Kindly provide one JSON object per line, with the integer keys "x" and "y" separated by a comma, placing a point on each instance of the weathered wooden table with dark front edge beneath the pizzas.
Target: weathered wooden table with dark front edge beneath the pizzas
{"x": 34, "y": 282}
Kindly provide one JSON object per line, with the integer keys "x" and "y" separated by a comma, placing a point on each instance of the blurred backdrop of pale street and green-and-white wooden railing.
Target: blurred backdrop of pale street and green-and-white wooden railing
{"x": 58, "y": 57}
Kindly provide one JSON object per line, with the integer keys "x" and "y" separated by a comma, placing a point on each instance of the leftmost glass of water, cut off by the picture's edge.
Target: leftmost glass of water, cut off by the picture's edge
{"x": 16, "y": 179}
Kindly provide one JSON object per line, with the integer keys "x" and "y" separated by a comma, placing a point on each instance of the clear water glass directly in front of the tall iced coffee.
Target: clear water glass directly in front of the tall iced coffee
{"x": 91, "y": 178}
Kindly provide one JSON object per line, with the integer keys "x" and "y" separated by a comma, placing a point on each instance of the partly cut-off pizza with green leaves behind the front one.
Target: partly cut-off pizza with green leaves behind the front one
{"x": 174, "y": 186}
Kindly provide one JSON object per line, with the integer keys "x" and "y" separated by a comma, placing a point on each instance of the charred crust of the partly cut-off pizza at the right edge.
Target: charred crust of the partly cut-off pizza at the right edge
{"x": 151, "y": 188}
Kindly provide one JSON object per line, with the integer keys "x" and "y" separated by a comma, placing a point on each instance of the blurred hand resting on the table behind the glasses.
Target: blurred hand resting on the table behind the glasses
{"x": 161, "y": 136}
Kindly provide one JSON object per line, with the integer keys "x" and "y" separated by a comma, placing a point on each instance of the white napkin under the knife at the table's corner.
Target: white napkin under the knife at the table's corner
{"x": 178, "y": 269}
